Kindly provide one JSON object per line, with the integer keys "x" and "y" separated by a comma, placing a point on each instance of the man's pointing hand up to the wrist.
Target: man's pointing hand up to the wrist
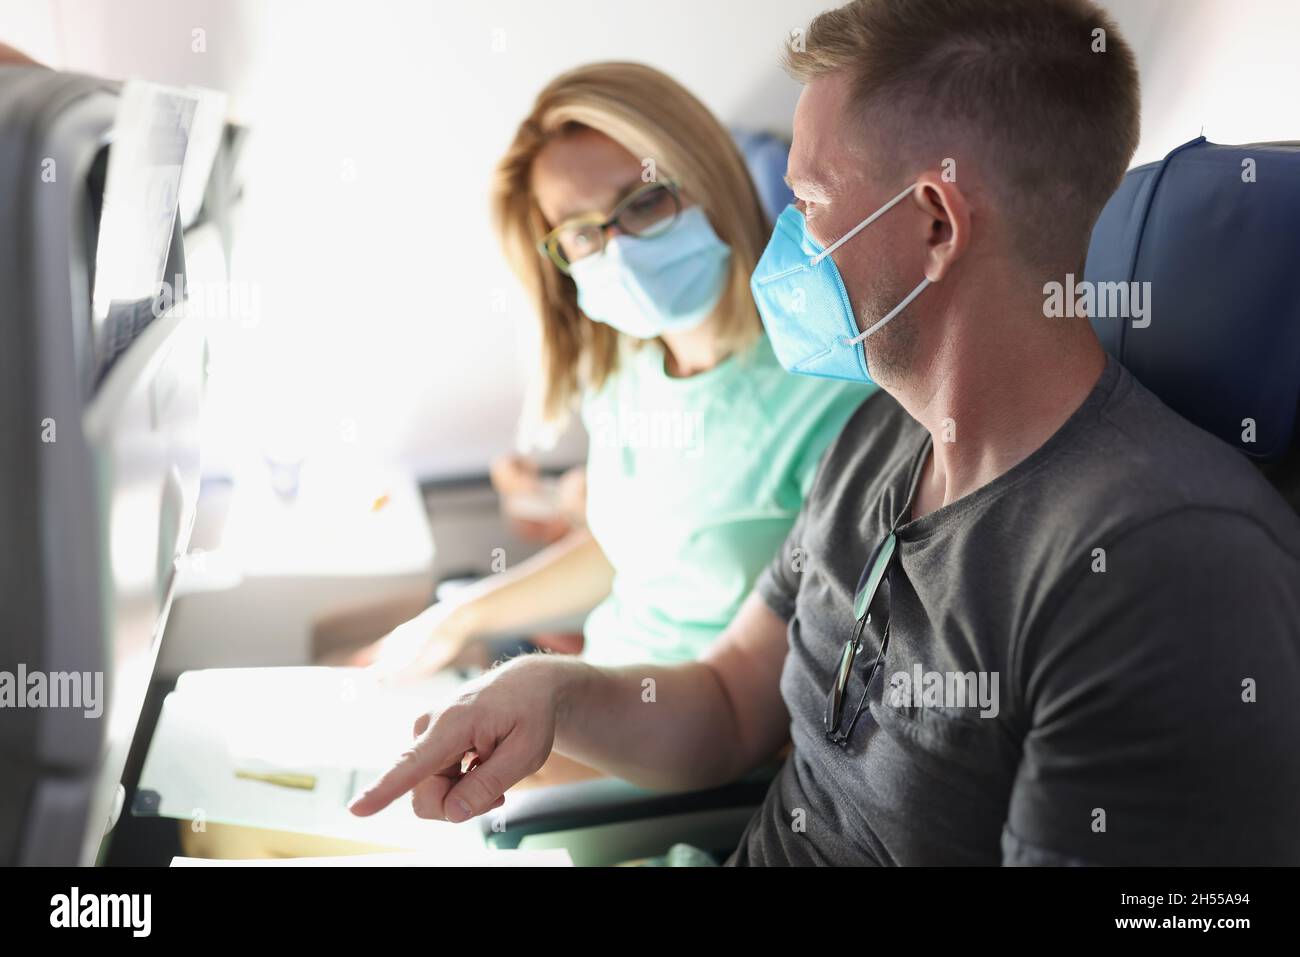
{"x": 466, "y": 757}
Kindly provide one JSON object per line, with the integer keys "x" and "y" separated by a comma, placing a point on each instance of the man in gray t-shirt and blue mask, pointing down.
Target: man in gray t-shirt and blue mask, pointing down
{"x": 1087, "y": 608}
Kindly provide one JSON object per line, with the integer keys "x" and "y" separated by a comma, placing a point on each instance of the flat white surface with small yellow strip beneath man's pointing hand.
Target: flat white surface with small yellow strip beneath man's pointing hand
{"x": 337, "y": 725}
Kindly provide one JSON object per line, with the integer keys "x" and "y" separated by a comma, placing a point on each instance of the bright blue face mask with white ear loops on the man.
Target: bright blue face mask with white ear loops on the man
{"x": 805, "y": 306}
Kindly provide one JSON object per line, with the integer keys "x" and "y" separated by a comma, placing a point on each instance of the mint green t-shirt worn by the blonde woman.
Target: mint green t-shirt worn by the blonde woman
{"x": 692, "y": 487}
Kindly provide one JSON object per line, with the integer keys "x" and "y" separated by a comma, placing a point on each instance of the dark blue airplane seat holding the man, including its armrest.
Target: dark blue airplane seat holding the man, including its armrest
{"x": 1216, "y": 237}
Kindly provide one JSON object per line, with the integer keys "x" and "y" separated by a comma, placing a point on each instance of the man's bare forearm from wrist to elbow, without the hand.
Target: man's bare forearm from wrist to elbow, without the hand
{"x": 669, "y": 728}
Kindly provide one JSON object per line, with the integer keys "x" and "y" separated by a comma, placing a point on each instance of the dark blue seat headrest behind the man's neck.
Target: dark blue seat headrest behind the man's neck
{"x": 1216, "y": 232}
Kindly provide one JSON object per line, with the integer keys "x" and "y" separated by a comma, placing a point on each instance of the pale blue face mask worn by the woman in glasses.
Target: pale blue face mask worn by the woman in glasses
{"x": 661, "y": 284}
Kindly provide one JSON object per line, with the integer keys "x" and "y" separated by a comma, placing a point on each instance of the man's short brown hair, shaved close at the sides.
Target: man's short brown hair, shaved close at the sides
{"x": 1054, "y": 123}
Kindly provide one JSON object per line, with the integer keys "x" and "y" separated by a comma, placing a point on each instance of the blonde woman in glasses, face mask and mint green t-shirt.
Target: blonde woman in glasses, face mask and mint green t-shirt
{"x": 626, "y": 210}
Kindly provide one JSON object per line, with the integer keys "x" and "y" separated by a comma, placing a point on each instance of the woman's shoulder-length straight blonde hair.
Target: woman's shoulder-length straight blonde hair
{"x": 657, "y": 120}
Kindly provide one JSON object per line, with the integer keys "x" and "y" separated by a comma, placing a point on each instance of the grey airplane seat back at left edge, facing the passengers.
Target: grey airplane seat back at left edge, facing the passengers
{"x": 99, "y": 418}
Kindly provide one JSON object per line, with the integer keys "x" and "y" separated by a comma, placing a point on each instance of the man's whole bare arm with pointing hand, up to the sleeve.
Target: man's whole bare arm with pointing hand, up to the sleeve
{"x": 708, "y": 722}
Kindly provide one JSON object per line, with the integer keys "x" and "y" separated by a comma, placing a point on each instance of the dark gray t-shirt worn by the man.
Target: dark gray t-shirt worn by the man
{"x": 1136, "y": 587}
